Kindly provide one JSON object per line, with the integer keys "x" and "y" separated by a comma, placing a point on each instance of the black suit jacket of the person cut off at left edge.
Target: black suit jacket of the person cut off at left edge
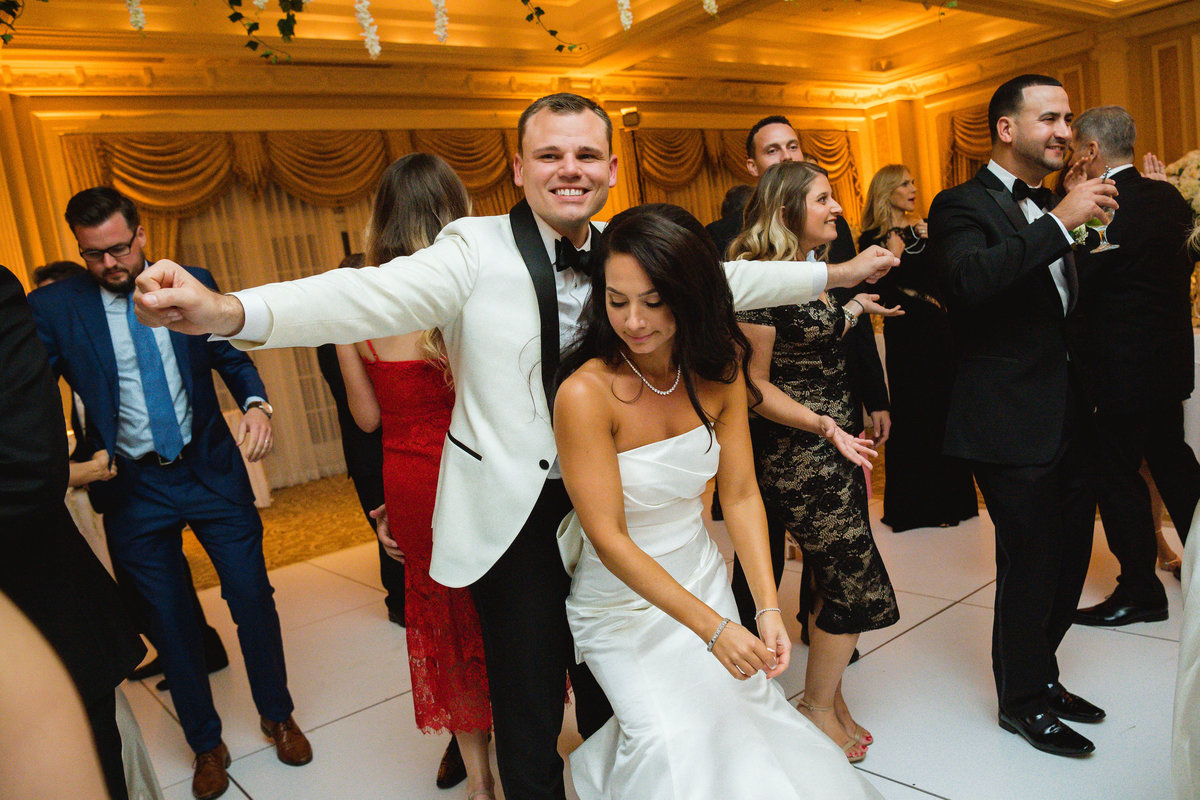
{"x": 49, "y": 570}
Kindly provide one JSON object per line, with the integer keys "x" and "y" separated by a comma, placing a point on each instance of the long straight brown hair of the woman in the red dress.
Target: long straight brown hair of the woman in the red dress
{"x": 418, "y": 196}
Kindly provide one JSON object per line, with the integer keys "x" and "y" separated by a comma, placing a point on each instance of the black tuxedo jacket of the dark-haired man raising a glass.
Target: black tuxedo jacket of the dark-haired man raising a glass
{"x": 1009, "y": 400}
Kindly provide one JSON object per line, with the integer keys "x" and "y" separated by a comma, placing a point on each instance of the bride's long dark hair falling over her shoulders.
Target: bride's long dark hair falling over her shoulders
{"x": 682, "y": 263}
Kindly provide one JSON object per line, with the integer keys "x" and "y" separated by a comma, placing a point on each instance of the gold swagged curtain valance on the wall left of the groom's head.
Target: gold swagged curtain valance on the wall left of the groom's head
{"x": 177, "y": 176}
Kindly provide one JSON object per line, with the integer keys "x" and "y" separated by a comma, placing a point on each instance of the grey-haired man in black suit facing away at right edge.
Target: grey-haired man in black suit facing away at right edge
{"x": 1137, "y": 353}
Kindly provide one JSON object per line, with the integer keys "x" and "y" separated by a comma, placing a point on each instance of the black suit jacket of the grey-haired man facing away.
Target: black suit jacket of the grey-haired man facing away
{"x": 1136, "y": 302}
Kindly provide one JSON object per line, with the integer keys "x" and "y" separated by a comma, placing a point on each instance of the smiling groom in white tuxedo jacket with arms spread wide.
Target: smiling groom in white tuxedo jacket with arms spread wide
{"x": 491, "y": 286}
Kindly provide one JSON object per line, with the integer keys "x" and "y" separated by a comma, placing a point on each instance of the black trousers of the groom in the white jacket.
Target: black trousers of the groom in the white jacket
{"x": 529, "y": 649}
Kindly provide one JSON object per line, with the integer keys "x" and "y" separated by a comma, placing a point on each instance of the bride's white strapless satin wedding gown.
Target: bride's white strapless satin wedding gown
{"x": 683, "y": 727}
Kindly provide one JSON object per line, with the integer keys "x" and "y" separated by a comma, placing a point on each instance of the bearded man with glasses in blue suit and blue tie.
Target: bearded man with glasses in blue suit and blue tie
{"x": 153, "y": 407}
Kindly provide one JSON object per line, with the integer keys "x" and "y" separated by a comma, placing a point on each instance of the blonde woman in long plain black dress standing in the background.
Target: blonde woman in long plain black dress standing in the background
{"x": 923, "y": 488}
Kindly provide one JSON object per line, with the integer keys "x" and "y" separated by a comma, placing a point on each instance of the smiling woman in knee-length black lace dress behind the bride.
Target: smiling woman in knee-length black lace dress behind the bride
{"x": 819, "y": 495}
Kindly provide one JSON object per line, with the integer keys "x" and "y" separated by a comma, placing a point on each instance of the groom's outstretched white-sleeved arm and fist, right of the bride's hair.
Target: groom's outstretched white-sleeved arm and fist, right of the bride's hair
{"x": 761, "y": 285}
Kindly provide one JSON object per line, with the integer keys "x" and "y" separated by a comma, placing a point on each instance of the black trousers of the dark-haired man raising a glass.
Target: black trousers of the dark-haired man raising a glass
{"x": 1045, "y": 516}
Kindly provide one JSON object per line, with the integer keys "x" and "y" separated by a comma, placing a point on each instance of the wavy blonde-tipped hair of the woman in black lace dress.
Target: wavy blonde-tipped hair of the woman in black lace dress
{"x": 776, "y": 215}
